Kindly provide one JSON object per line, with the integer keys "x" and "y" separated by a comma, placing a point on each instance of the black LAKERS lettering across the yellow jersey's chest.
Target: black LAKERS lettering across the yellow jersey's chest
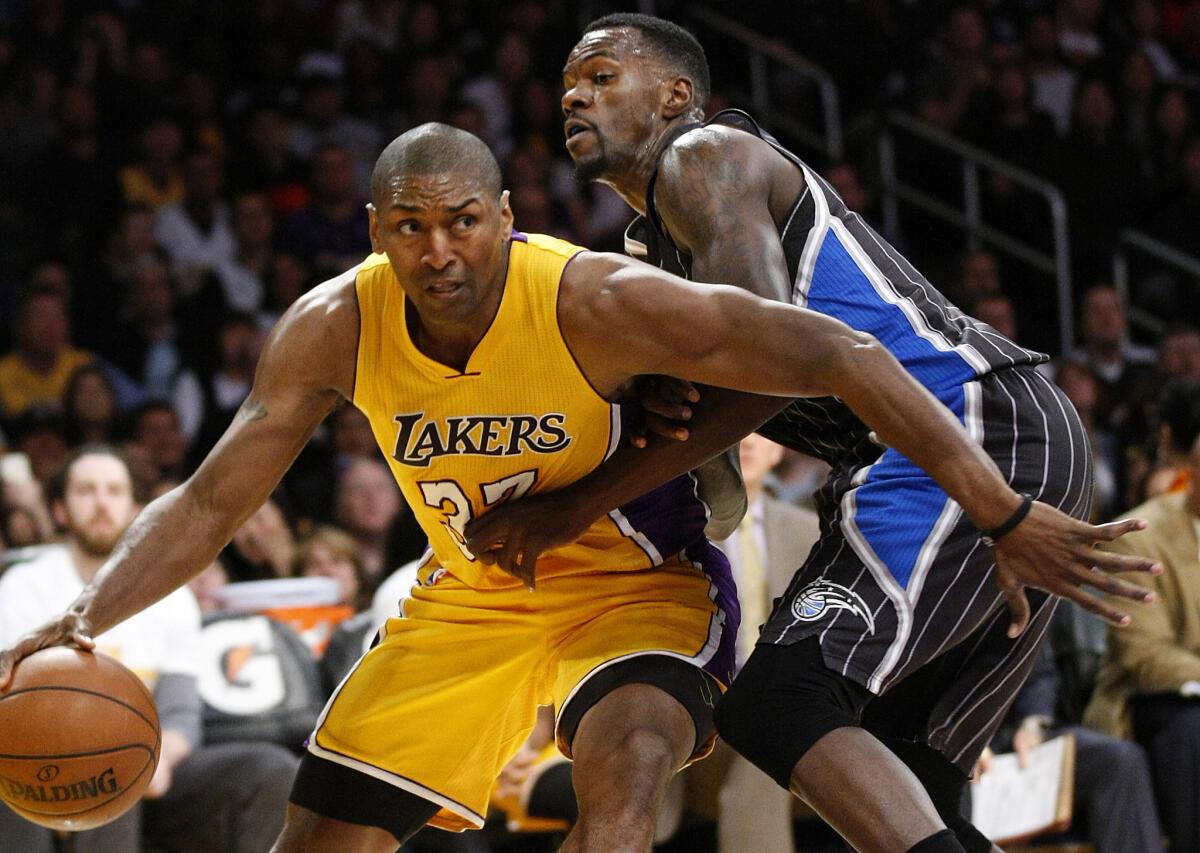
{"x": 421, "y": 441}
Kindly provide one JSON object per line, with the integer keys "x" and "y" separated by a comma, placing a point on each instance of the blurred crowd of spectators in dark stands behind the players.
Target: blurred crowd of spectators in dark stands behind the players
{"x": 176, "y": 175}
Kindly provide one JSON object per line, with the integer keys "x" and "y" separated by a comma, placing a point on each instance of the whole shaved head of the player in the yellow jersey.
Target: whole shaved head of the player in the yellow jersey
{"x": 441, "y": 218}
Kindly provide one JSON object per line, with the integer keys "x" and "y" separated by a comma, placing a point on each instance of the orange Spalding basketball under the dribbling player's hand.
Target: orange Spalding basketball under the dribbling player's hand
{"x": 79, "y": 740}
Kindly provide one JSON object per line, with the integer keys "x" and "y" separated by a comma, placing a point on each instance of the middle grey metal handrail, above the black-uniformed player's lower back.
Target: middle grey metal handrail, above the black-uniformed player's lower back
{"x": 970, "y": 219}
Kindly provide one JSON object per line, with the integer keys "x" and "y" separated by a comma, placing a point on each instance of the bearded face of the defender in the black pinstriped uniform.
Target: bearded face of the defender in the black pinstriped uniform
{"x": 611, "y": 103}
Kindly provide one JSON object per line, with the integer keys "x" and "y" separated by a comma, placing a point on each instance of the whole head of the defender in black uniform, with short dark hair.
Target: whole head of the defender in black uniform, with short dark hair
{"x": 626, "y": 81}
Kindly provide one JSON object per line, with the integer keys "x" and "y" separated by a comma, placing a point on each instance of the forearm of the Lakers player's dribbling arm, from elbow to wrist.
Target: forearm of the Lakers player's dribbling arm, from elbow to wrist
{"x": 171, "y": 542}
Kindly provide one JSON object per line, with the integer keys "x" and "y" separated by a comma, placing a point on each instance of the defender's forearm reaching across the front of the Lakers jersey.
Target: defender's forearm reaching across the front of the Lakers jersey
{"x": 721, "y": 419}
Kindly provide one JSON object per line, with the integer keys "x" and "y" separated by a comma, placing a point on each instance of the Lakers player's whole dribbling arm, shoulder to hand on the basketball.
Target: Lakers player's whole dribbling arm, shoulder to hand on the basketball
{"x": 308, "y": 364}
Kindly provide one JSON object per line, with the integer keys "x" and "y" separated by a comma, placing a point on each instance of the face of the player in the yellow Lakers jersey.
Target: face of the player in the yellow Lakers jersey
{"x": 446, "y": 238}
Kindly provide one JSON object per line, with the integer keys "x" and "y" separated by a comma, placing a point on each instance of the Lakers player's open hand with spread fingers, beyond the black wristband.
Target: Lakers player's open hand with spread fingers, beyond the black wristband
{"x": 1052, "y": 551}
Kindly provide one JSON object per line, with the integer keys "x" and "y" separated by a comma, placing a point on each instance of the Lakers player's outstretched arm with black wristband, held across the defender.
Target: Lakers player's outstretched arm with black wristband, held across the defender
{"x": 622, "y": 319}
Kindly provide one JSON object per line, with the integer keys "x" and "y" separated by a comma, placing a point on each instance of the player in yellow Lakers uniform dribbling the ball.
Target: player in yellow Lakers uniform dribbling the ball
{"x": 421, "y": 728}
